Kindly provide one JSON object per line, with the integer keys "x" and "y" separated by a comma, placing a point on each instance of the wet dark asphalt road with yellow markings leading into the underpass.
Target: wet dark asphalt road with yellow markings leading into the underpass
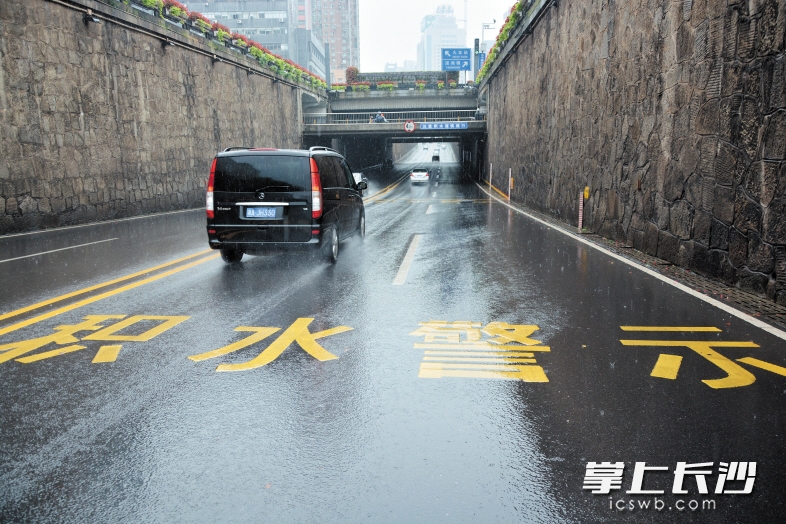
{"x": 365, "y": 431}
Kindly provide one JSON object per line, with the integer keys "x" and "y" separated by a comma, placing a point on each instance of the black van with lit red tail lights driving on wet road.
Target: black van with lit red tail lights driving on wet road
{"x": 266, "y": 200}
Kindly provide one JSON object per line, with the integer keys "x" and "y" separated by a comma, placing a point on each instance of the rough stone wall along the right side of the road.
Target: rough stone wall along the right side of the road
{"x": 672, "y": 112}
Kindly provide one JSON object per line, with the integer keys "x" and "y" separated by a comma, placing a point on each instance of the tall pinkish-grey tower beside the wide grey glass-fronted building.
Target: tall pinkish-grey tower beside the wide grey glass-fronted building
{"x": 336, "y": 22}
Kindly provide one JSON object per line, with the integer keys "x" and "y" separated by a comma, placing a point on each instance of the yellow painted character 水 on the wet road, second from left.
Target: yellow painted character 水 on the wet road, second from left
{"x": 297, "y": 332}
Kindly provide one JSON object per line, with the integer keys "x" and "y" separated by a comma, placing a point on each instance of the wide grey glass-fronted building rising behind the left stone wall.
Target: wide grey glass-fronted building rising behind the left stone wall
{"x": 282, "y": 26}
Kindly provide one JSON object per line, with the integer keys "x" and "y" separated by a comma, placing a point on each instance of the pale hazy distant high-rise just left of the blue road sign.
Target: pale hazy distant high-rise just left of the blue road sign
{"x": 438, "y": 31}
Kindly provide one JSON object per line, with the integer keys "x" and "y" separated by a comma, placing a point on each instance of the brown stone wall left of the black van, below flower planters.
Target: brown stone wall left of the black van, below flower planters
{"x": 98, "y": 121}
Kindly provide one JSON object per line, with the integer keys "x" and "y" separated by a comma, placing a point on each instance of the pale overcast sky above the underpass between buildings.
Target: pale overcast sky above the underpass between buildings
{"x": 390, "y": 30}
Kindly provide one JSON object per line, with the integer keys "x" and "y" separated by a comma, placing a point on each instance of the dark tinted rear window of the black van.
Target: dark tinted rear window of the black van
{"x": 270, "y": 173}
